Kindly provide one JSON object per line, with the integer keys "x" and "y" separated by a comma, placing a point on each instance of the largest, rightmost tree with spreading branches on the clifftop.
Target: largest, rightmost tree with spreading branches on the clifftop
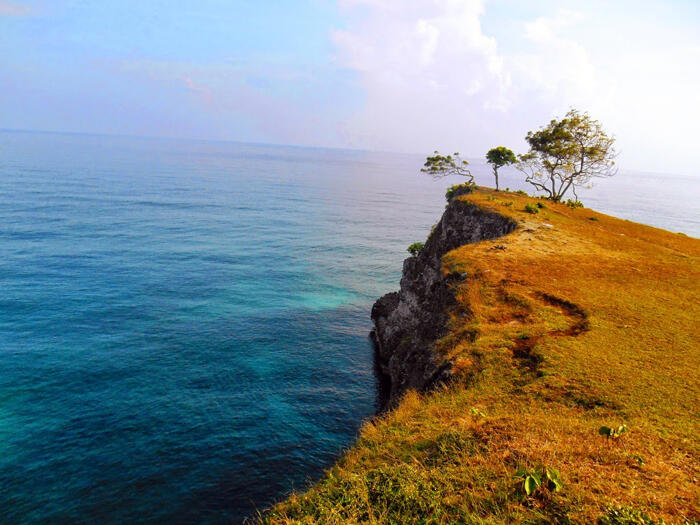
{"x": 567, "y": 154}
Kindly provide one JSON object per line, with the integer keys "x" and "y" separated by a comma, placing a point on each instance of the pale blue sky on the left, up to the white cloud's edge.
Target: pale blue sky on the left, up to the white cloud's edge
{"x": 163, "y": 68}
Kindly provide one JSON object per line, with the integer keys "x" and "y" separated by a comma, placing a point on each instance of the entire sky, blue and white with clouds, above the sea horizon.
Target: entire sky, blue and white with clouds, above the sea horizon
{"x": 390, "y": 75}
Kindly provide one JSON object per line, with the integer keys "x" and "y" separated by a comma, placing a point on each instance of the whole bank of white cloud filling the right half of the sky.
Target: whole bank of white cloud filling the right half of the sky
{"x": 433, "y": 77}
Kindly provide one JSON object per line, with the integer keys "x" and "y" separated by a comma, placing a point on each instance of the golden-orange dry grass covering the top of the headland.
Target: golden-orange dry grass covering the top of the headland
{"x": 581, "y": 320}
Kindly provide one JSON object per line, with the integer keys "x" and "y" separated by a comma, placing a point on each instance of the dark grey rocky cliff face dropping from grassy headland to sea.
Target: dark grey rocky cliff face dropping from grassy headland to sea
{"x": 409, "y": 321}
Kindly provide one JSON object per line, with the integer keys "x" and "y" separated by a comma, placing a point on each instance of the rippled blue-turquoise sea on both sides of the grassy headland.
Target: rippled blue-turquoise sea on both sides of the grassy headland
{"x": 184, "y": 324}
